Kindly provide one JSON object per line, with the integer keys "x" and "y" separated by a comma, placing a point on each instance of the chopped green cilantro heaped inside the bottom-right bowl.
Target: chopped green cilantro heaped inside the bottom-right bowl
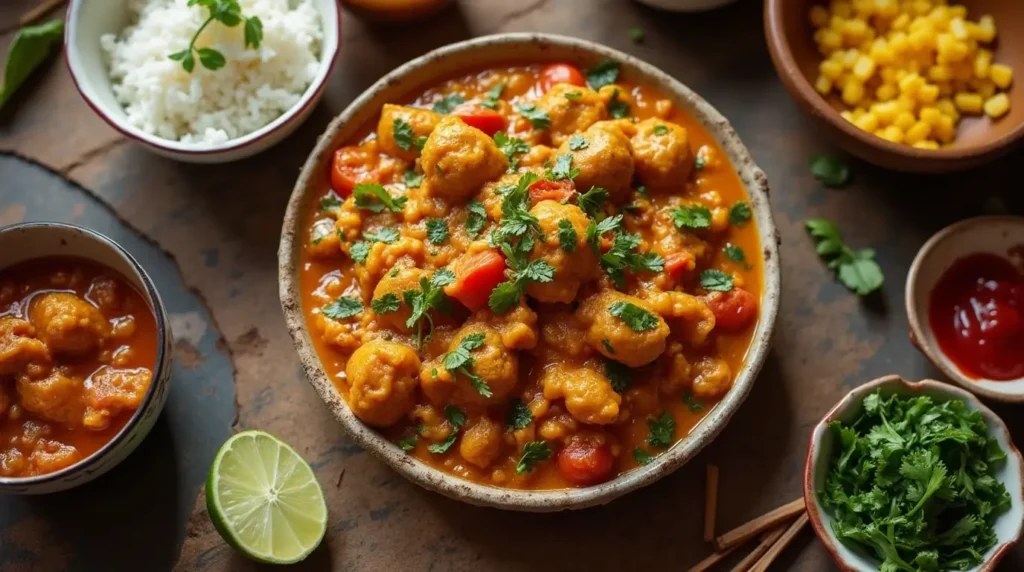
{"x": 912, "y": 482}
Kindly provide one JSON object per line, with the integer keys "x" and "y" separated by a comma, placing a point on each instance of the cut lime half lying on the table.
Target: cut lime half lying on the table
{"x": 265, "y": 500}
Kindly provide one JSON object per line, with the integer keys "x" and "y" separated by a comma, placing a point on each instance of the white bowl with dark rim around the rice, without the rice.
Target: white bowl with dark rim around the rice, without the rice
{"x": 89, "y": 21}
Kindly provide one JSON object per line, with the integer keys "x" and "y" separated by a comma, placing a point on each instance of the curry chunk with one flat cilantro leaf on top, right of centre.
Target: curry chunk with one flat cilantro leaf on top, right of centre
{"x": 615, "y": 337}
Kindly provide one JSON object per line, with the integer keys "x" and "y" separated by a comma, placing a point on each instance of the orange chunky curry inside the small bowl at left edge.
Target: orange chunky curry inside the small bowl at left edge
{"x": 77, "y": 347}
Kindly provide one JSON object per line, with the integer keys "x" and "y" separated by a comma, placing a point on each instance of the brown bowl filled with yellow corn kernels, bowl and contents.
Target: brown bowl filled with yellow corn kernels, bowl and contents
{"x": 915, "y": 85}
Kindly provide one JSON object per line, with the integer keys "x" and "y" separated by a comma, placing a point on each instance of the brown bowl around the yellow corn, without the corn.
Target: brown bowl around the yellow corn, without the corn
{"x": 979, "y": 140}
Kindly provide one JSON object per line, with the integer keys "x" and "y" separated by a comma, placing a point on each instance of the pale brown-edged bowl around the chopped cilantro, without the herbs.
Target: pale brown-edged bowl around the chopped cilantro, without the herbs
{"x": 823, "y": 446}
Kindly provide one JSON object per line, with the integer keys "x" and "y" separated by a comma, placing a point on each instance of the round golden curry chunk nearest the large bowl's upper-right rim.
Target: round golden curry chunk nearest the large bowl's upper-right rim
{"x": 663, "y": 155}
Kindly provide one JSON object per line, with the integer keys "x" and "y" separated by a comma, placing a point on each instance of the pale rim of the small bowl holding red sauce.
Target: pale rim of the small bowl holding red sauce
{"x": 918, "y": 337}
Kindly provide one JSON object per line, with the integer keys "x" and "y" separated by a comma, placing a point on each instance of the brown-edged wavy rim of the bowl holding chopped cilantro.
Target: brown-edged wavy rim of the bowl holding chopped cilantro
{"x": 854, "y": 400}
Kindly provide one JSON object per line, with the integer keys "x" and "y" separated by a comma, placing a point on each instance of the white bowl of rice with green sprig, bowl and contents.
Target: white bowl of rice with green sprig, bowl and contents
{"x": 203, "y": 92}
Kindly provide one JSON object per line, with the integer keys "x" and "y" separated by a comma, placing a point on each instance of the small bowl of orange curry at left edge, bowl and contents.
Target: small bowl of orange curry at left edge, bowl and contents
{"x": 84, "y": 357}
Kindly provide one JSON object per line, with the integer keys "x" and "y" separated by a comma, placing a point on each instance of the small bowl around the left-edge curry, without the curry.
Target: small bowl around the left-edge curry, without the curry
{"x": 35, "y": 240}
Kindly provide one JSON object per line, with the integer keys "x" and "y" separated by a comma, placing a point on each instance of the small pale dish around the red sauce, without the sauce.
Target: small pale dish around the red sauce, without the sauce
{"x": 994, "y": 235}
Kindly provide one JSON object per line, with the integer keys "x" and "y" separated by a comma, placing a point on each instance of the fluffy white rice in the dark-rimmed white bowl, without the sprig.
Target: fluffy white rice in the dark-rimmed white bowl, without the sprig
{"x": 208, "y": 107}
